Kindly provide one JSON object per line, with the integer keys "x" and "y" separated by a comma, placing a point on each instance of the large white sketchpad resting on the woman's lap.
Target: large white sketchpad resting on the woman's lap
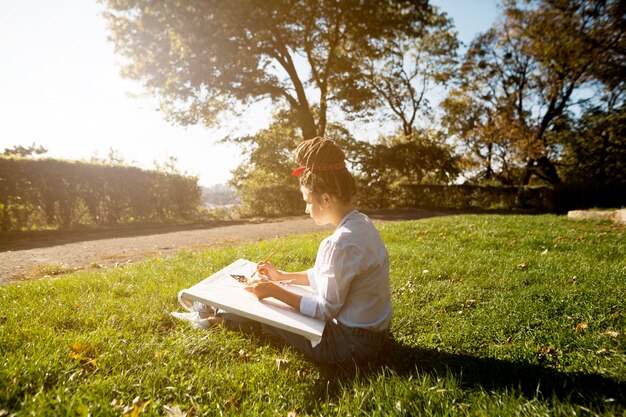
{"x": 223, "y": 291}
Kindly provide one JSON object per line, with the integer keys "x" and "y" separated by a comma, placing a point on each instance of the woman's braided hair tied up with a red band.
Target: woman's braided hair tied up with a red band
{"x": 323, "y": 169}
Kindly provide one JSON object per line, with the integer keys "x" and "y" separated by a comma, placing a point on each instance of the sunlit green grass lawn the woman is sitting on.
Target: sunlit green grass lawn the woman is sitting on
{"x": 494, "y": 315}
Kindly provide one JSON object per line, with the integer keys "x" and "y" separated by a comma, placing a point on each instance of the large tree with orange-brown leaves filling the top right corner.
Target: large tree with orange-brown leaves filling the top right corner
{"x": 533, "y": 70}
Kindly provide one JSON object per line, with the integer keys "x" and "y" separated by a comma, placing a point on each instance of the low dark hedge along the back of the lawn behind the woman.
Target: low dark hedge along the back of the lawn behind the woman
{"x": 285, "y": 200}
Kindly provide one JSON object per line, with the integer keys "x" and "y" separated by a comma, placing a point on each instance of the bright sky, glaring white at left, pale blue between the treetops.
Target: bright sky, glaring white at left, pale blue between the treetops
{"x": 60, "y": 87}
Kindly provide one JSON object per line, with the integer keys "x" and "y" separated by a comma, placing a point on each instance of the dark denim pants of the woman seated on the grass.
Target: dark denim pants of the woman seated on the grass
{"x": 340, "y": 344}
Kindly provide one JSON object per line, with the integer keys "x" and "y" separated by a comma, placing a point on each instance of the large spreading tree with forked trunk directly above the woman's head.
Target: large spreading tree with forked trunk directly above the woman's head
{"x": 204, "y": 57}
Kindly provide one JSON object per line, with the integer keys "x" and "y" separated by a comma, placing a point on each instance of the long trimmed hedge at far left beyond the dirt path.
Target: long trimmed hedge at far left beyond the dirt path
{"x": 38, "y": 193}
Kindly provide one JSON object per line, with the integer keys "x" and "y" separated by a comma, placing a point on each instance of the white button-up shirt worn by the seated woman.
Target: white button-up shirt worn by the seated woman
{"x": 351, "y": 277}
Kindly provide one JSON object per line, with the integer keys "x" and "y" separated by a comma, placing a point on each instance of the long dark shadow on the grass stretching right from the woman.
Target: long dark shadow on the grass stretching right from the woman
{"x": 489, "y": 374}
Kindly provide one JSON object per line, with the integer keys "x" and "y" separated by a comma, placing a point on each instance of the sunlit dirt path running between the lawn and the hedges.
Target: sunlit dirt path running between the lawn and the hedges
{"x": 39, "y": 255}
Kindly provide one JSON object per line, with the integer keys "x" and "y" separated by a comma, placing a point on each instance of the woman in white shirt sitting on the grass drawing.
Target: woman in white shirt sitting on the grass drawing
{"x": 351, "y": 271}
